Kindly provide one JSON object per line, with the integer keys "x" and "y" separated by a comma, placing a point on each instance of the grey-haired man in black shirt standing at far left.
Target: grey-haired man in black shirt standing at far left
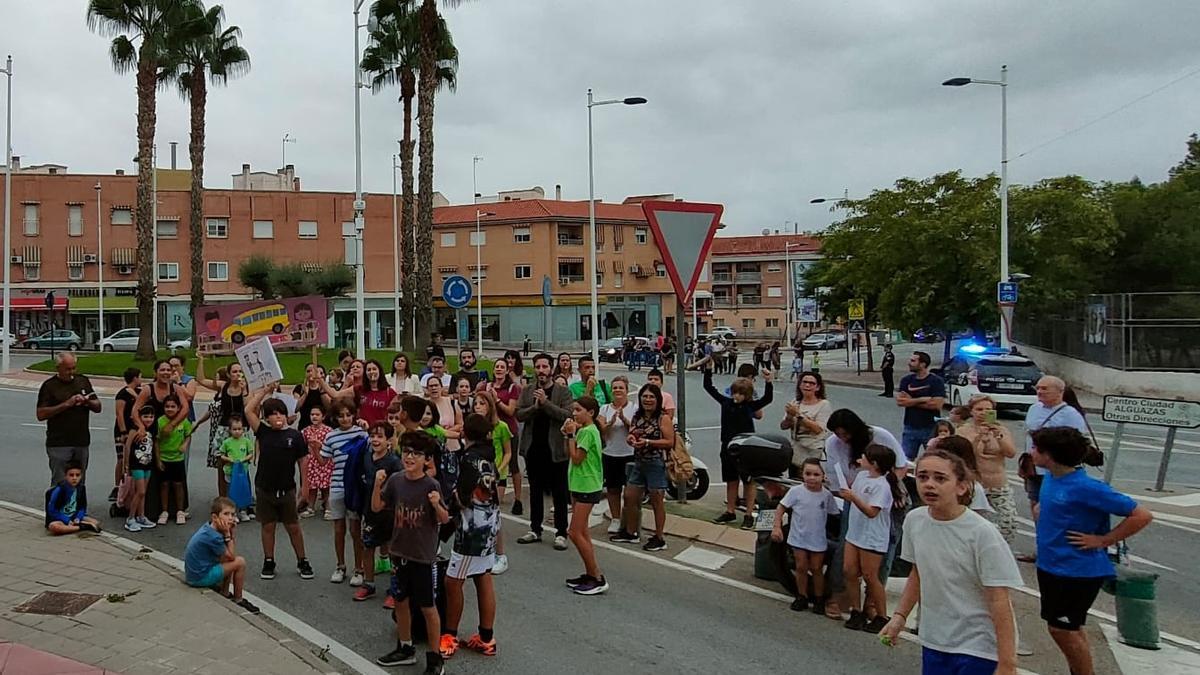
{"x": 63, "y": 404}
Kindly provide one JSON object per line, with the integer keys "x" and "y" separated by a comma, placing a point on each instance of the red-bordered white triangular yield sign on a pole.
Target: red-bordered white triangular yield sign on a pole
{"x": 683, "y": 232}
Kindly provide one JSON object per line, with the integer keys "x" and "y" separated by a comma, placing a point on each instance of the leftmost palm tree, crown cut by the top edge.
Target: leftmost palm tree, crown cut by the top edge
{"x": 154, "y": 22}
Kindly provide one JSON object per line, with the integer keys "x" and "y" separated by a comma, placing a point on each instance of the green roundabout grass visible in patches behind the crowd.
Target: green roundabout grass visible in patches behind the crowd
{"x": 293, "y": 363}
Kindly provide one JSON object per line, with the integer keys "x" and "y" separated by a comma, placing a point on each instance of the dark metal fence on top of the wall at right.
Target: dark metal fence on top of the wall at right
{"x": 1123, "y": 331}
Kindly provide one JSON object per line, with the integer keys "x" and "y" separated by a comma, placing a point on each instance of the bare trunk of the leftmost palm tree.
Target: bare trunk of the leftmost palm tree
{"x": 147, "y": 85}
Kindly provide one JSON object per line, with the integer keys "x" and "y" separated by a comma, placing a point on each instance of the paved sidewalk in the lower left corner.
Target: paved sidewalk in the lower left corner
{"x": 140, "y": 617}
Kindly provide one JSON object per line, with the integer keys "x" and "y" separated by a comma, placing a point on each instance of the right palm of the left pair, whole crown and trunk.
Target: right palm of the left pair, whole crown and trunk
{"x": 205, "y": 47}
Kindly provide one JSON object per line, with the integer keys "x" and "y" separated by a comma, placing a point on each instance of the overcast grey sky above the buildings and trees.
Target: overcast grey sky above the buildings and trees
{"x": 760, "y": 106}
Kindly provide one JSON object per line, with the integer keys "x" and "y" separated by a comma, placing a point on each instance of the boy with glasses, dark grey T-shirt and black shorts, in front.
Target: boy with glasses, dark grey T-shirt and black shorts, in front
{"x": 416, "y": 501}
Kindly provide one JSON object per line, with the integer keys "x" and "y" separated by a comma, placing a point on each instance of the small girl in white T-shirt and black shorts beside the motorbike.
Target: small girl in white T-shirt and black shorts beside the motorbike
{"x": 811, "y": 505}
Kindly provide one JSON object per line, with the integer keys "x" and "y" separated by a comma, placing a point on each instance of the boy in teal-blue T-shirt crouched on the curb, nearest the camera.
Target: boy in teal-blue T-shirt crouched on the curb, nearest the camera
{"x": 211, "y": 560}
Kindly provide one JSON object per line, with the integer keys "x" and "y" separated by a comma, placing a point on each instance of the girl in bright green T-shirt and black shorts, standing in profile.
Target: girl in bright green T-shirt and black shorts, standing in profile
{"x": 585, "y": 479}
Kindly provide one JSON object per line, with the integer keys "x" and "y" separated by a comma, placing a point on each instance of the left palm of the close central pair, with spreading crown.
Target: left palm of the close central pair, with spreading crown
{"x": 392, "y": 59}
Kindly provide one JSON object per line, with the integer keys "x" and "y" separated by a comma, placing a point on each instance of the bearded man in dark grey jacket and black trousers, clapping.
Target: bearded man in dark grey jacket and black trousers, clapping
{"x": 543, "y": 409}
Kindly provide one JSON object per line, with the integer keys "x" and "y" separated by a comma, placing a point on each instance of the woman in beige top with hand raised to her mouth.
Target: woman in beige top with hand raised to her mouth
{"x": 993, "y": 447}
